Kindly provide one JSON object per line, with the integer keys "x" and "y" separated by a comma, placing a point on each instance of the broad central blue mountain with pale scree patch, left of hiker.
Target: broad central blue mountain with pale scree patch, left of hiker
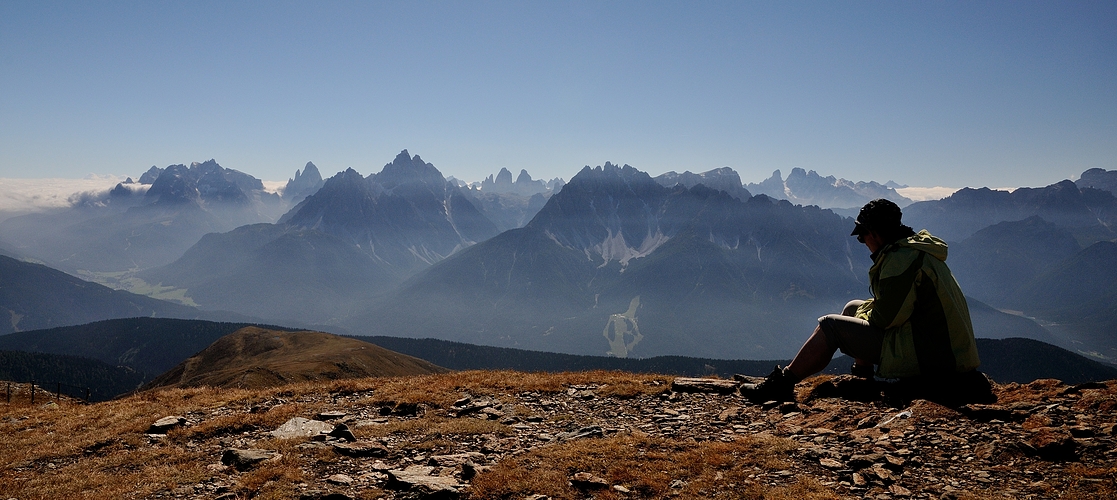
{"x": 618, "y": 264}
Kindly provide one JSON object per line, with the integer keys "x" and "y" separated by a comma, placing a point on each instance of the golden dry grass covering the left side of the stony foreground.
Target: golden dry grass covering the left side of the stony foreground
{"x": 101, "y": 451}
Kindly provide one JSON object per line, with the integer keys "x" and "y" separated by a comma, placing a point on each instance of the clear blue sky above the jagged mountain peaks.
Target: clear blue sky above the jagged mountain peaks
{"x": 999, "y": 94}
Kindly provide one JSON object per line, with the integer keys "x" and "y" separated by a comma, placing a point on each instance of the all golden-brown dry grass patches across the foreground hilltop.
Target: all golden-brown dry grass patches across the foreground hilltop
{"x": 96, "y": 451}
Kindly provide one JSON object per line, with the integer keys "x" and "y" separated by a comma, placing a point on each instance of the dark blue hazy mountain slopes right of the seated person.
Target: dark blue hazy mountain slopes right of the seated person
{"x": 1020, "y": 252}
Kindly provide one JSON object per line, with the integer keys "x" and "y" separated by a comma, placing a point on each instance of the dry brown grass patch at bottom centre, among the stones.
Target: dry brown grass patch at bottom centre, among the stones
{"x": 651, "y": 468}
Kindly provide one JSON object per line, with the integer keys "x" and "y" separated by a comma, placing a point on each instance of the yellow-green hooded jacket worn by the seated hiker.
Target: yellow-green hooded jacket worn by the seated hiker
{"x": 921, "y": 309}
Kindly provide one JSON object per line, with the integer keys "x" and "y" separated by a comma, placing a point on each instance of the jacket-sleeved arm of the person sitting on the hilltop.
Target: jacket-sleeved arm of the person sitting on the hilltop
{"x": 895, "y": 291}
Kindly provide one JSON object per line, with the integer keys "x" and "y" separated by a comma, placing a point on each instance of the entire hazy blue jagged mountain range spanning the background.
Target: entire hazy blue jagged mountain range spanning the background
{"x": 614, "y": 263}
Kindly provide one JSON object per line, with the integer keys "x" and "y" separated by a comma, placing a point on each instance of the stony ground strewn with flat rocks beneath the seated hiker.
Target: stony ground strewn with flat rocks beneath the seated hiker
{"x": 1040, "y": 440}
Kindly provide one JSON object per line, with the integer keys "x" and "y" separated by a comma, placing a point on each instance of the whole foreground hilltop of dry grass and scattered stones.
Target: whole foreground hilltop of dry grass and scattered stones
{"x": 531, "y": 436}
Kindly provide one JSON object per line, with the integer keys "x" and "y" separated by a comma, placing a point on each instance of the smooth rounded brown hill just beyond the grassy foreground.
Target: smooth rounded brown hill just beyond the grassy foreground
{"x": 256, "y": 358}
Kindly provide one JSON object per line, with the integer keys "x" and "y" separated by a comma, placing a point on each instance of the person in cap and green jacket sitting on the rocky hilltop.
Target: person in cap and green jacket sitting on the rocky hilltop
{"x": 915, "y": 328}
